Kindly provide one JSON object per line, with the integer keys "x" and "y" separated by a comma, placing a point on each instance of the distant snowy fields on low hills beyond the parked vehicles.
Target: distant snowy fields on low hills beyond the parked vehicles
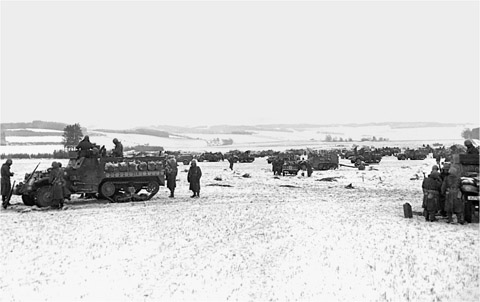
{"x": 258, "y": 140}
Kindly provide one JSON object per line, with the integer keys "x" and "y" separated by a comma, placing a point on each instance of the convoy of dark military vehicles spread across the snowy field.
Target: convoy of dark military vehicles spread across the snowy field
{"x": 136, "y": 178}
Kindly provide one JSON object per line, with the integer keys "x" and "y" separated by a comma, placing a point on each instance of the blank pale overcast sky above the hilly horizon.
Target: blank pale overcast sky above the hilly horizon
{"x": 122, "y": 64}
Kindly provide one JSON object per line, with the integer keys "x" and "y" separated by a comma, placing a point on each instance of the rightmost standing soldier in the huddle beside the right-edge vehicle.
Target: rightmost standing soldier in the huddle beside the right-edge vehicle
{"x": 453, "y": 200}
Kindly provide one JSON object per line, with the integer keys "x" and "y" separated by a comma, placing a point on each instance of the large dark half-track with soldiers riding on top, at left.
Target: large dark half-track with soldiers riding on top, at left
{"x": 113, "y": 178}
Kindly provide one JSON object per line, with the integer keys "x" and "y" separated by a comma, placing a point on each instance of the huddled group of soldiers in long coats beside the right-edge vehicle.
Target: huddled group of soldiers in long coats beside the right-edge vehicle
{"x": 441, "y": 191}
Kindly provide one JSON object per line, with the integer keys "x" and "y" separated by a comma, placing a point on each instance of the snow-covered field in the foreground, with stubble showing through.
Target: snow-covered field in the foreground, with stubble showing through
{"x": 265, "y": 238}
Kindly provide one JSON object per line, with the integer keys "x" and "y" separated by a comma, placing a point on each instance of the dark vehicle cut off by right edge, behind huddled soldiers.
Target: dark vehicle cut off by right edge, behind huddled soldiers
{"x": 468, "y": 168}
